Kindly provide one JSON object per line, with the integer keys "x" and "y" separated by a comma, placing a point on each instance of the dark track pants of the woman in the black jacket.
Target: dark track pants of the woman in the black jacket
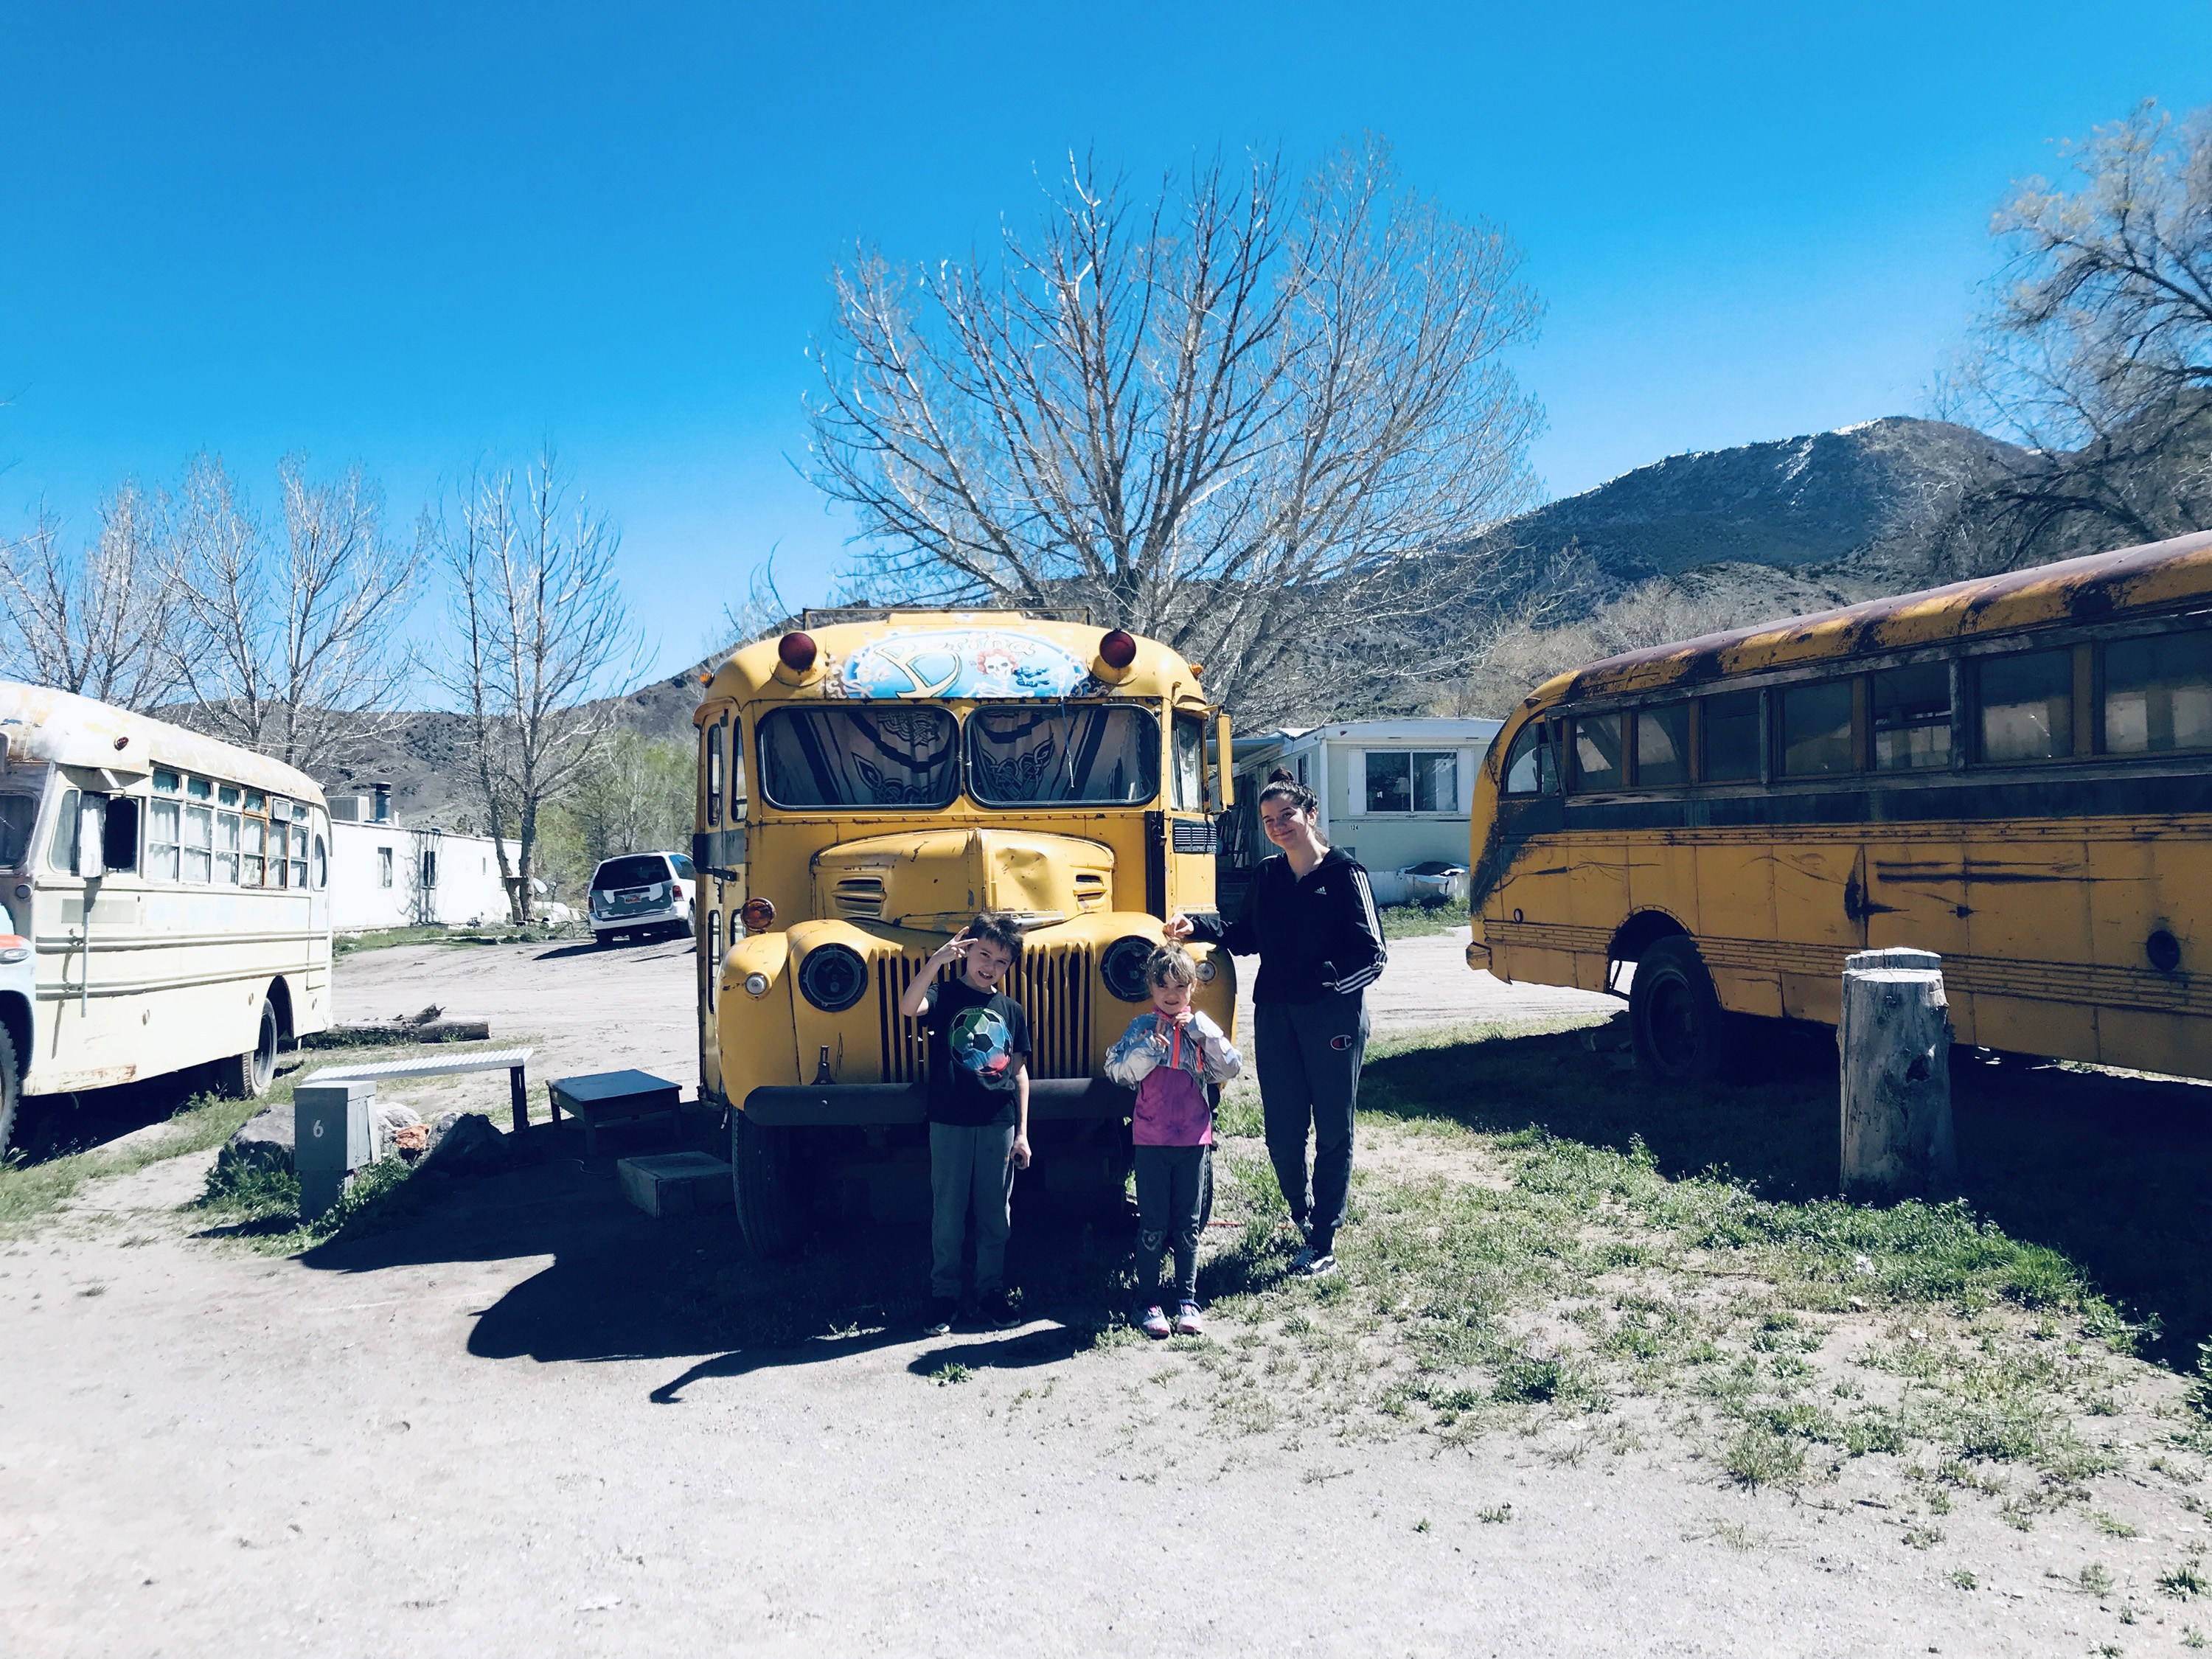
{"x": 1311, "y": 1078}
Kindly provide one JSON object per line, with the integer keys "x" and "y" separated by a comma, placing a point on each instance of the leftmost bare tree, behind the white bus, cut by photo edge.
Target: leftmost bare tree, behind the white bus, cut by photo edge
{"x": 105, "y": 620}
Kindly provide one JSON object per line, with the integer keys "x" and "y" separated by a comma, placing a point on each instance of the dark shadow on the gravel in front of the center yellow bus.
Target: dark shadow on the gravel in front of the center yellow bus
{"x": 623, "y": 1286}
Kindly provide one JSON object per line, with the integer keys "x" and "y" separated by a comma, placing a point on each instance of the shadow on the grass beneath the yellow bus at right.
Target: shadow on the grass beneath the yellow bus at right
{"x": 2109, "y": 1171}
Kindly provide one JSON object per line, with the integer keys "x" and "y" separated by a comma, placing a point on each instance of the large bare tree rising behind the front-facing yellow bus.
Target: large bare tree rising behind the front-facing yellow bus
{"x": 1233, "y": 417}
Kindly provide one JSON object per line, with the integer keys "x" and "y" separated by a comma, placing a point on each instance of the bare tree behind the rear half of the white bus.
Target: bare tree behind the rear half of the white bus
{"x": 298, "y": 649}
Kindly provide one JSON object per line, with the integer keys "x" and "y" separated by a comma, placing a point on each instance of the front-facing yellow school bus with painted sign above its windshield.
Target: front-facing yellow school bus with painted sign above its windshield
{"x": 873, "y": 782}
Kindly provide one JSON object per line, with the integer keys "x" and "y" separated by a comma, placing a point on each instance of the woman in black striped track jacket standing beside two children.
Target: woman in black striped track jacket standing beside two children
{"x": 1313, "y": 921}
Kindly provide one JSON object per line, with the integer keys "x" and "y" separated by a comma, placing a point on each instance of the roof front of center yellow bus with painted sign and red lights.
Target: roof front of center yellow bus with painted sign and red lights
{"x": 941, "y": 656}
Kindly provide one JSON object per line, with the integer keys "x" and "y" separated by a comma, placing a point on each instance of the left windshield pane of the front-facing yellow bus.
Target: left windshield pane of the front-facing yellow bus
{"x": 859, "y": 758}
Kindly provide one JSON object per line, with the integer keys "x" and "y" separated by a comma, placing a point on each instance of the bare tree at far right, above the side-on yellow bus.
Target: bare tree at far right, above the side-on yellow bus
{"x": 2096, "y": 351}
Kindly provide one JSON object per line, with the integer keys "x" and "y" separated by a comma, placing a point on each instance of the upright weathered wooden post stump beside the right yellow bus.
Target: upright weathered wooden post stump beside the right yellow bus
{"x": 1895, "y": 1045}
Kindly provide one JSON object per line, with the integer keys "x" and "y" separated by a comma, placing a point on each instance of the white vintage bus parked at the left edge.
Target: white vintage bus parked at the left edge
{"x": 167, "y": 901}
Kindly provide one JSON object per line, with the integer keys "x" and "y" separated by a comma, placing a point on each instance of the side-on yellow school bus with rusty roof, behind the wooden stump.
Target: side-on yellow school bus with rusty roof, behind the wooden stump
{"x": 2014, "y": 773}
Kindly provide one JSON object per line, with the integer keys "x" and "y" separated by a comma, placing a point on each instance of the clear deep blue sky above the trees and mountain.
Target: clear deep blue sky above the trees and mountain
{"x": 424, "y": 238}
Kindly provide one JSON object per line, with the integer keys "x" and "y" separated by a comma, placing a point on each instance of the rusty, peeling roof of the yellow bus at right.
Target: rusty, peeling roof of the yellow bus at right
{"x": 2089, "y": 589}
